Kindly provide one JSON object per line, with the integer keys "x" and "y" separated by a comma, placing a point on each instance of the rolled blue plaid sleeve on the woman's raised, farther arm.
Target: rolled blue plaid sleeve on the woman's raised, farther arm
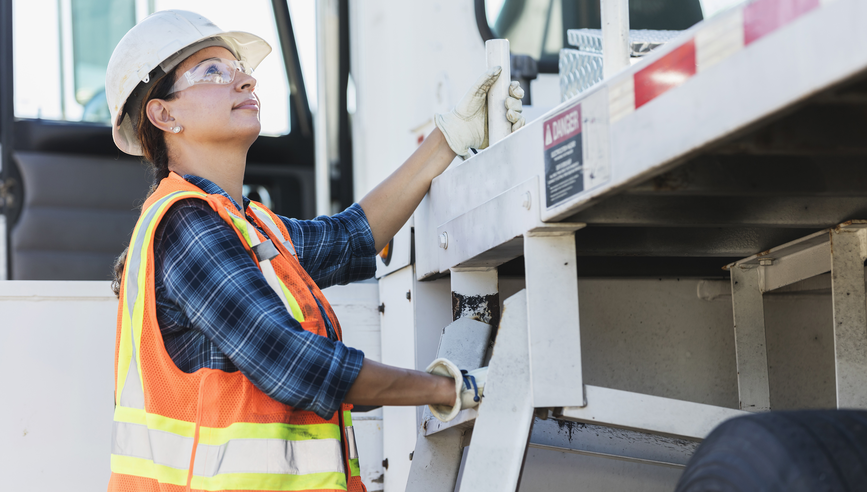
{"x": 335, "y": 250}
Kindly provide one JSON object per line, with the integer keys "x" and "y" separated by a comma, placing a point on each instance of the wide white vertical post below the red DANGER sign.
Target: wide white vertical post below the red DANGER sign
{"x": 554, "y": 328}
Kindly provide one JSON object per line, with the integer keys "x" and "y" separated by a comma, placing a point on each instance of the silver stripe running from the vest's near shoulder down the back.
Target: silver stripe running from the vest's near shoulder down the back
{"x": 133, "y": 393}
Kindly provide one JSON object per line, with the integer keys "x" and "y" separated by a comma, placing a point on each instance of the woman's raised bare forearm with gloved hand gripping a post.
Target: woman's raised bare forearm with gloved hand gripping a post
{"x": 389, "y": 205}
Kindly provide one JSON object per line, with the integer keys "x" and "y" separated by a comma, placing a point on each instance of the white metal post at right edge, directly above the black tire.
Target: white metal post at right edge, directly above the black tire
{"x": 850, "y": 316}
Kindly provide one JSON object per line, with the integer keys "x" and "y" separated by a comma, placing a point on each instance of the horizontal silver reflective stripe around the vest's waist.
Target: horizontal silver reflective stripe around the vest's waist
{"x": 236, "y": 456}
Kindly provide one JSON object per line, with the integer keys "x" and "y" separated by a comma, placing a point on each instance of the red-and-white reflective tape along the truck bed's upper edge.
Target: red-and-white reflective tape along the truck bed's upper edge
{"x": 719, "y": 39}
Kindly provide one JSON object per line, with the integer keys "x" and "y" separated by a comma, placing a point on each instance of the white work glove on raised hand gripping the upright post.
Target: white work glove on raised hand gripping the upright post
{"x": 466, "y": 126}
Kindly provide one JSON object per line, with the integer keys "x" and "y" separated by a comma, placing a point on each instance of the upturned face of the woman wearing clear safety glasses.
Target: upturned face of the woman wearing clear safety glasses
{"x": 216, "y": 112}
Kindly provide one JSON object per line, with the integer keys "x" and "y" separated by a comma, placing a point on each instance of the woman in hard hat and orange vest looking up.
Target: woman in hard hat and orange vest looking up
{"x": 230, "y": 373}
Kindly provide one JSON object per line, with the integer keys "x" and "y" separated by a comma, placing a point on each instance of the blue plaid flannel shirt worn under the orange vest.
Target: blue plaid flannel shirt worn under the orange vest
{"x": 215, "y": 309}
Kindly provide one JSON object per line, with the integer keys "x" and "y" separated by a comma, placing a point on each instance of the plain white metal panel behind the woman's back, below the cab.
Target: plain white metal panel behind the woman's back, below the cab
{"x": 57, "y": 350}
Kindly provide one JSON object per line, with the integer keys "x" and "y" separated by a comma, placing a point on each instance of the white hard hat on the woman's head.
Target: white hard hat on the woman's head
{"x": 152, "y": 48}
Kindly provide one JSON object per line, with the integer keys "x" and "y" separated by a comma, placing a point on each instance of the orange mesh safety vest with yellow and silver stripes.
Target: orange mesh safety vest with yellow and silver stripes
{"x": 213, "y": 430}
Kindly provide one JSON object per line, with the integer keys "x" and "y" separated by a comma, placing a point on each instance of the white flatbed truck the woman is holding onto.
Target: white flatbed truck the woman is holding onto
{"x": 676, "y": 245}
